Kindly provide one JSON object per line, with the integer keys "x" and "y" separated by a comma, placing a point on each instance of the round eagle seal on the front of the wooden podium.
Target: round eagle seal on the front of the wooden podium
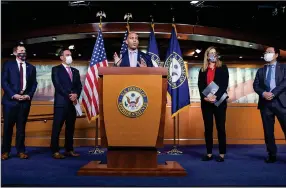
{"x": 132, "y": 101}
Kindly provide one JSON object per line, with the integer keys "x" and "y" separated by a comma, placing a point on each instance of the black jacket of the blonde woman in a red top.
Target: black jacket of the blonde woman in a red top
{"x": 221, "y": 79}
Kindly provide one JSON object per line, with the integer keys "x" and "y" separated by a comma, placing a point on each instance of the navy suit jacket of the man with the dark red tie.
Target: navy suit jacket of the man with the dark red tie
{"x": 10, "y": 81}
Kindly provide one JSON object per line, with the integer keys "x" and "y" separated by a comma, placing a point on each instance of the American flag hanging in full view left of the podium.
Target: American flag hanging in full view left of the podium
{"x": 90, "y": 99}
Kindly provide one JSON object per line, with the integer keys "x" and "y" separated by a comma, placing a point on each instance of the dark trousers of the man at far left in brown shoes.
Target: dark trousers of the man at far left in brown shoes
{"x": 18, "y": 115}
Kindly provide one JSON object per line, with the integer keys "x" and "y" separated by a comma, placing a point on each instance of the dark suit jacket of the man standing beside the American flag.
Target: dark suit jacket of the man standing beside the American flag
{"x": 64, "y": 86}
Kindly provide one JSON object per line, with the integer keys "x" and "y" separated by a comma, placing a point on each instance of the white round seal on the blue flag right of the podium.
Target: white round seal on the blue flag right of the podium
{"x": 177, "y": 70}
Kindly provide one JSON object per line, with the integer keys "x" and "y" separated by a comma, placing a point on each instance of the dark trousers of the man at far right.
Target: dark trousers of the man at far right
{"x": 268, "y": 113}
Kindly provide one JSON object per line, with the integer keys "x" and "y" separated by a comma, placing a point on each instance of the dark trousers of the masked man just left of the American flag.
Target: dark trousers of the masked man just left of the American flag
{"x": 63, "y": 115}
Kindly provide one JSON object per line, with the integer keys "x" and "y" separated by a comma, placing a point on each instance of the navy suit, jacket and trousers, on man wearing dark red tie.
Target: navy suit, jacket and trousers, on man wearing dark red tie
{"x": 15, "y": 111}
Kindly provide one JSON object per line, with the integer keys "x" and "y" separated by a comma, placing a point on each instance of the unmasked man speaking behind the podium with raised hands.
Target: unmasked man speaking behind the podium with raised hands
{"x": 133, "y": 57}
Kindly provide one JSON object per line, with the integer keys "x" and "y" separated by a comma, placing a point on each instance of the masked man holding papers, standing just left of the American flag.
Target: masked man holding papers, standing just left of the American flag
{"x": 68, "y": 87}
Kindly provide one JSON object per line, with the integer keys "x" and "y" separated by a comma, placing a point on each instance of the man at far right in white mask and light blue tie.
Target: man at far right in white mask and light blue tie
{"x": 270, "y": 85}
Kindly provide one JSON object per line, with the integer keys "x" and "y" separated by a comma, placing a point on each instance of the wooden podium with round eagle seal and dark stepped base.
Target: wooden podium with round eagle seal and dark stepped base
{"x": 132, "y": 119}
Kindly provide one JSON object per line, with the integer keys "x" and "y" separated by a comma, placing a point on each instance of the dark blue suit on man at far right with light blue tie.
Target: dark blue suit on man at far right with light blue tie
{"x": 276, "y": 106}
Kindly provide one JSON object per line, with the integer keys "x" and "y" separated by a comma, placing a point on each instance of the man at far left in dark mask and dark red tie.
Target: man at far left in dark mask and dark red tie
{"x": 19, "y": 84}
